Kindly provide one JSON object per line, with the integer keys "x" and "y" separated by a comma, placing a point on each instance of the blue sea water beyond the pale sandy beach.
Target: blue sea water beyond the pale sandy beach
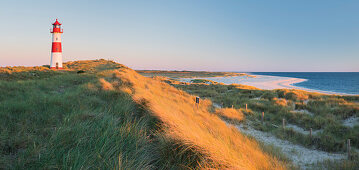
{"x": 340, "y": 82}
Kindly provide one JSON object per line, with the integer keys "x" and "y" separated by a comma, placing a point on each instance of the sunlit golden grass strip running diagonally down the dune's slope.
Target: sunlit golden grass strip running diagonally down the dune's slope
{"x": 197, "y": 127}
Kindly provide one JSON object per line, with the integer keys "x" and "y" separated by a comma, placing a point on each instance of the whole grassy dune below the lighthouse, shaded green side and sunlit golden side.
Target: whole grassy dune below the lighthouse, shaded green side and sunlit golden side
{"x": 102, "y": 115}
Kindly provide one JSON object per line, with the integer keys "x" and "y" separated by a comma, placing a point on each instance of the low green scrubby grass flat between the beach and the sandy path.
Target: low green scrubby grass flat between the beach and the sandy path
{"x": 326, "y": 112}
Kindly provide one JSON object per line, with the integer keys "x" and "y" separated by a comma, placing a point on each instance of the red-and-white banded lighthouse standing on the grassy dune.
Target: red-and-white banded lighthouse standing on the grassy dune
{"x": 56, "y": 50}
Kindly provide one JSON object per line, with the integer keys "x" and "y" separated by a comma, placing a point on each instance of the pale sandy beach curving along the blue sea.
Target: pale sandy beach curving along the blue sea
{"x": 266, "y": 82}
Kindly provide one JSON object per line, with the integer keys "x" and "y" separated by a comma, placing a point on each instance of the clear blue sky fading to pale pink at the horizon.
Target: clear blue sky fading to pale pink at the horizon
{"x": 211, "y": 35}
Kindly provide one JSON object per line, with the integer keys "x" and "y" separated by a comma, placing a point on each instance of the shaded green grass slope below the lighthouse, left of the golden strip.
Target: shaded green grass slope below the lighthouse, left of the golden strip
{"x": 64, "y": 120}
